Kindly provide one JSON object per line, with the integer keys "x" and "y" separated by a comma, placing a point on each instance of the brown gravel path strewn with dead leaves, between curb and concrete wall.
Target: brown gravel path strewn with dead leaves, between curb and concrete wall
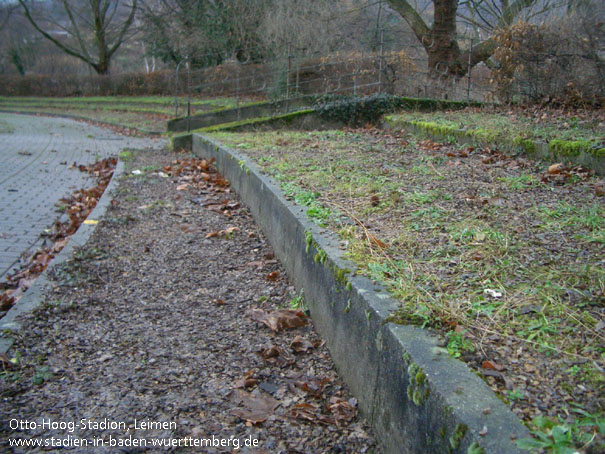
{"x": 160, "y": 319}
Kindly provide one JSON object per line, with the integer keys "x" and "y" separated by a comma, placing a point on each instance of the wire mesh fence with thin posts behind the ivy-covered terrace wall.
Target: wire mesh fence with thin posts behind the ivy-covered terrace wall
{"x": 352, "y": 73}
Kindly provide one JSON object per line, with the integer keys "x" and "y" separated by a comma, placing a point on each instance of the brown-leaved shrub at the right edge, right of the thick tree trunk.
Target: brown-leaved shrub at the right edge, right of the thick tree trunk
{"x": 560, "y": 61}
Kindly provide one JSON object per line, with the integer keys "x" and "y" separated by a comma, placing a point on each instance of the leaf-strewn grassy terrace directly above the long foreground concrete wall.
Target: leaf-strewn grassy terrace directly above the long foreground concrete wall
{"x": 507, "y": 266}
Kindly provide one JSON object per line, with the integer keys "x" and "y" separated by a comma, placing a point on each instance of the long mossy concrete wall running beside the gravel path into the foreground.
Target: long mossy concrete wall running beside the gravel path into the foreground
{"x": 417, "y": 398}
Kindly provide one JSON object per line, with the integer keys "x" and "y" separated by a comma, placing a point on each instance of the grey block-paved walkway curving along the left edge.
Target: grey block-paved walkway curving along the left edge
{"x": 35, "y": 155}
